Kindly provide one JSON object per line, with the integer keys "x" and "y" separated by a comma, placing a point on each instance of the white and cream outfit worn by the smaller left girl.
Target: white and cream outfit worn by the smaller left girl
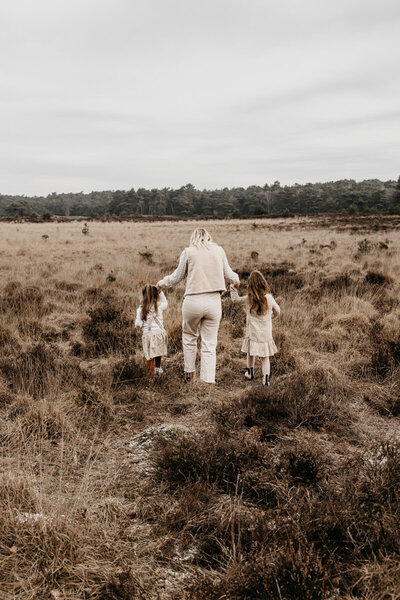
{"x": 154, "y": 339}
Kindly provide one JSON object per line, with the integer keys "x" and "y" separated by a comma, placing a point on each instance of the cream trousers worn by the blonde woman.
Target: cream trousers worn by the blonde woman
{"x": 201, "y": 315}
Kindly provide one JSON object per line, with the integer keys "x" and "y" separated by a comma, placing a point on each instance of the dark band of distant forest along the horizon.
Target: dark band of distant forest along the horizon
{"x": 346, "y": 196}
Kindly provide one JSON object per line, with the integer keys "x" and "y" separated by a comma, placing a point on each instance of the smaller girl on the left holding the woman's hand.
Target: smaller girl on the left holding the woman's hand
{"x": 149, "y": 318}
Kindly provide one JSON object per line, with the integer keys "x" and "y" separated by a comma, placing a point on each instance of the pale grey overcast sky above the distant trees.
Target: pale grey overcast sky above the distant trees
{"x": 115, "y": 94}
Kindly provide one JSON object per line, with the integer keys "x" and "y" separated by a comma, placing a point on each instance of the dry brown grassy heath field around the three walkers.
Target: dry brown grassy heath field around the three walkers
{"x": 113, "y": 487}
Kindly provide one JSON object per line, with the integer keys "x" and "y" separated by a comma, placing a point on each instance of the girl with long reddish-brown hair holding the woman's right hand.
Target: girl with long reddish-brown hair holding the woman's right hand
{"x": 259, "y": 306}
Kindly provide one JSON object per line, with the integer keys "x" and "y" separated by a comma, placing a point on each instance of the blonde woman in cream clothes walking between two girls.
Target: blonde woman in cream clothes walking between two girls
{"x": 206, "y": 267}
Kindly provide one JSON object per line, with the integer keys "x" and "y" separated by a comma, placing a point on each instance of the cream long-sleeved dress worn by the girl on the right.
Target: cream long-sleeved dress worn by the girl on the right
{"x": 258, "y": 339}
